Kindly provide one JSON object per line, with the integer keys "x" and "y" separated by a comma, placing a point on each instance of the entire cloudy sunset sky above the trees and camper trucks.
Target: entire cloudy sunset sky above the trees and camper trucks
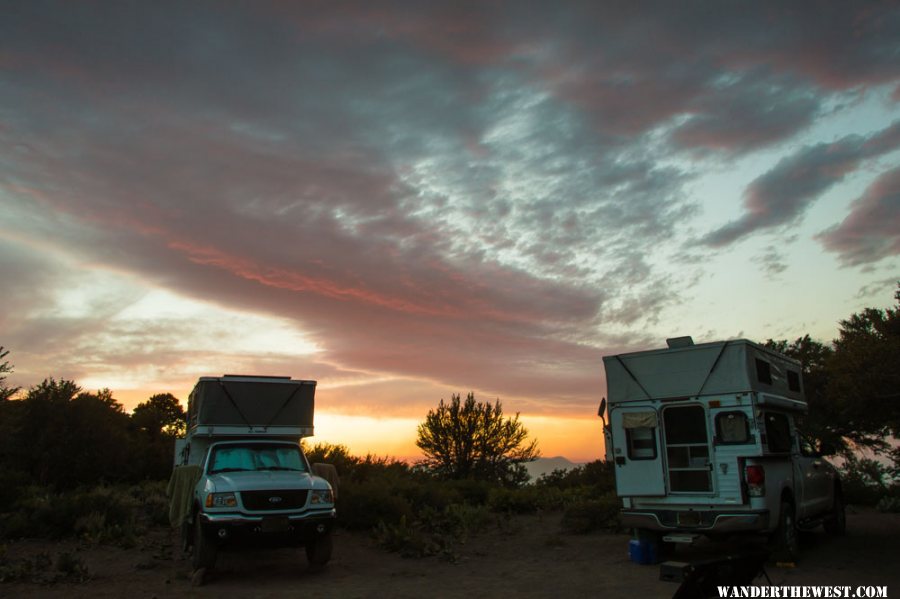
{"x": 408, "y": 200}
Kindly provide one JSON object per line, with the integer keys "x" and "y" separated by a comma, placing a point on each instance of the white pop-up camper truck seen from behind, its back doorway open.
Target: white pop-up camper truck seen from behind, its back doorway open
{"x": 705, "y": 441}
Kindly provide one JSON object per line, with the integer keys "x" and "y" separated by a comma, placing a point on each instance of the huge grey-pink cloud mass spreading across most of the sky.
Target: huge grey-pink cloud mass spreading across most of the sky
{"x": 473, "y": 198}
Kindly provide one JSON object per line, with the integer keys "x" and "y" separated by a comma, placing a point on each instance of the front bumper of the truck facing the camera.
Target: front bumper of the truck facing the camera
{"x": 270, "y": 530}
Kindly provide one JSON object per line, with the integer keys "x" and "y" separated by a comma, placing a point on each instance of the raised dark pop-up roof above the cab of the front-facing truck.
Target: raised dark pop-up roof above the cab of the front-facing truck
{"x": 251, "y": 403}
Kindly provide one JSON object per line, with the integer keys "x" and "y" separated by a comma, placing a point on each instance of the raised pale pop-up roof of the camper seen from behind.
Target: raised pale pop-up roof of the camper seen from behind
{"x": 736, "y": 366}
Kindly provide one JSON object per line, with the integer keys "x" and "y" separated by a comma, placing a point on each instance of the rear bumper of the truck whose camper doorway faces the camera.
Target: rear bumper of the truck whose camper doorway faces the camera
{"x": 707, "y": 521}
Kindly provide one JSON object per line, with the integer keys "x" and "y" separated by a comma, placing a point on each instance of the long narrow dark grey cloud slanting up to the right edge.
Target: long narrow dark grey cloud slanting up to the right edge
{"x": 781, "y": 196}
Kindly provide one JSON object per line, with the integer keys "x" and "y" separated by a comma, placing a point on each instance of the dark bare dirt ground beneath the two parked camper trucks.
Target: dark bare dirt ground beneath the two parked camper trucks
{"x": 527, "y": 557}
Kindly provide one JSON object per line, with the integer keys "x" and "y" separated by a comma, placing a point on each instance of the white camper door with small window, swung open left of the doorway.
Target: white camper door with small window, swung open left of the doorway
{"x": 635, "y": 441}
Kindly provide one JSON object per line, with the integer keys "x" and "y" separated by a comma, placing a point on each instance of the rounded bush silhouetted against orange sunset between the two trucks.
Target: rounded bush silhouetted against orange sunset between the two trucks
{"x": 472, "y": 440}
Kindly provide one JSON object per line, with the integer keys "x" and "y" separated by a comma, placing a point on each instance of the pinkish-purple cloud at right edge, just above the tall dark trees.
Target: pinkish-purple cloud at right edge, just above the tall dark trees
{"x": 871, "y": 231}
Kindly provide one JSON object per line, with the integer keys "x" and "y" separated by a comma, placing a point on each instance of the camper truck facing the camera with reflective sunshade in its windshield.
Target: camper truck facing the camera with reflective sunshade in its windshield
{"x": 240, "y": 475}
